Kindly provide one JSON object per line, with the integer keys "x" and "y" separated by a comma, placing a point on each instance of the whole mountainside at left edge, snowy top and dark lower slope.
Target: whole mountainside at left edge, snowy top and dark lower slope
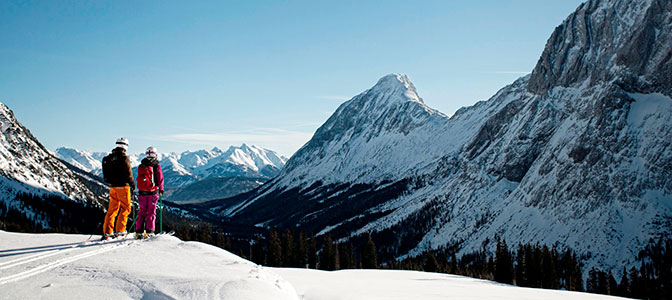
{"x": 27, "y": 168}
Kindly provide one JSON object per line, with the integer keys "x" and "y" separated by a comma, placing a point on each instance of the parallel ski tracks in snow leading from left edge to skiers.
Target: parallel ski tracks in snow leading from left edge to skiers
{"x": 115, "y": 244}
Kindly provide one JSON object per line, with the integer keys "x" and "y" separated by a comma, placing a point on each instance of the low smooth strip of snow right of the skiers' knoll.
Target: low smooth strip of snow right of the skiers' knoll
{"x": 392, "y": 284}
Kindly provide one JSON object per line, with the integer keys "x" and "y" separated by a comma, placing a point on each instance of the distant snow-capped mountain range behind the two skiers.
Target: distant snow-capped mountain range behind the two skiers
{"x": 193, "y": 176}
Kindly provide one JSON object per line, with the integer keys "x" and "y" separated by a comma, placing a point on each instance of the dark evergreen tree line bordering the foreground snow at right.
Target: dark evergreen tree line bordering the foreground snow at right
{"x": 528, "y": 265}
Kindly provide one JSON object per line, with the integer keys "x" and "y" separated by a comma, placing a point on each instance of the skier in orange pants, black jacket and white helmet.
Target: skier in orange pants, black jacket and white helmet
{"x": 118, "y": 173}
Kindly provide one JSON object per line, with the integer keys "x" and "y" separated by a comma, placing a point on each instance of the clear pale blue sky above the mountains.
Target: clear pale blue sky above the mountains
{"x": 197, "y": 74}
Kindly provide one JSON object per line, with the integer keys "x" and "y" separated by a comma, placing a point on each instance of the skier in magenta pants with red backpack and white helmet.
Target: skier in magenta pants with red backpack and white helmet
{"x": 150, "y": 186}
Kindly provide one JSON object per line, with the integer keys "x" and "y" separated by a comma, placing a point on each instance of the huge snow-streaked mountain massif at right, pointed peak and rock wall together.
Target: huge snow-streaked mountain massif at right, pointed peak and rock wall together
{"x": 577, "y": 154}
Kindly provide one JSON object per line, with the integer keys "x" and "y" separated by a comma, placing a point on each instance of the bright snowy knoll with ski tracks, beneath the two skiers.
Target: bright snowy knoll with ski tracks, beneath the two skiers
{"x": 58, "y": 266}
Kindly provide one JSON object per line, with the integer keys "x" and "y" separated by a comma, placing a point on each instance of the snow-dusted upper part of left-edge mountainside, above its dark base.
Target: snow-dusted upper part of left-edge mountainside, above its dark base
{"x": 26, "y": 166}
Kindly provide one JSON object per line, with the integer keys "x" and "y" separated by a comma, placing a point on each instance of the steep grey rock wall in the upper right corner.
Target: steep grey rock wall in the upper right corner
{"x": 625, "y": 41}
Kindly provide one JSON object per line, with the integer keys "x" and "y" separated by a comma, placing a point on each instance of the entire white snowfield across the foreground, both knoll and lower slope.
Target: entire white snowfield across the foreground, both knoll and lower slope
{"x": 61, "y": 266}
